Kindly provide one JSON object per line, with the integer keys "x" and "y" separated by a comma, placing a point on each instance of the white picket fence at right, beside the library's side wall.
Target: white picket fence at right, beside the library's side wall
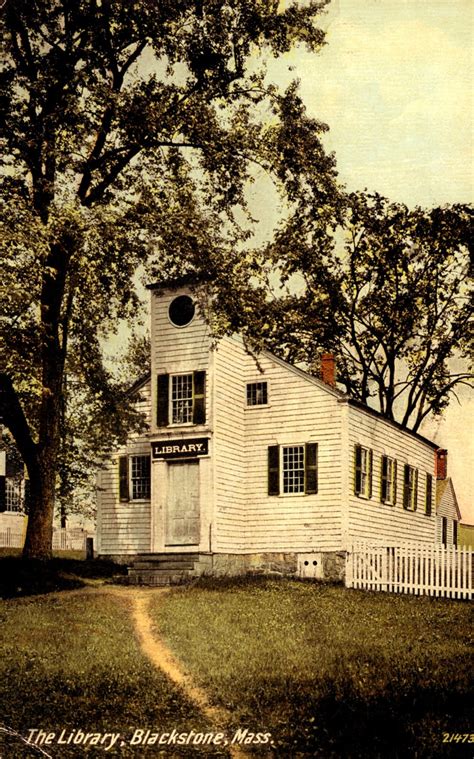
{"x": 416, "y": 568}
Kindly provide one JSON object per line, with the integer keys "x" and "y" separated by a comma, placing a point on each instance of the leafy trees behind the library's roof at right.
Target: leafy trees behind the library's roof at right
{"x": 395, "y": 304}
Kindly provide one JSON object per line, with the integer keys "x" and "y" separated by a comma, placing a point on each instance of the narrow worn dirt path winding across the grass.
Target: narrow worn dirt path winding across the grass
{"x": 162, "y": 658}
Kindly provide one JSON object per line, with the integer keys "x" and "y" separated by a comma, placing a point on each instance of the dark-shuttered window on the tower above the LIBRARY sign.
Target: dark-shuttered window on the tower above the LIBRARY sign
{"x": 181, "y": 399}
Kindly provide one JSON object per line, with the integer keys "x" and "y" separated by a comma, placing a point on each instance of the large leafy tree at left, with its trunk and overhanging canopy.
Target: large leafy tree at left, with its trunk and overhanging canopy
{"x": 129, "y": 134}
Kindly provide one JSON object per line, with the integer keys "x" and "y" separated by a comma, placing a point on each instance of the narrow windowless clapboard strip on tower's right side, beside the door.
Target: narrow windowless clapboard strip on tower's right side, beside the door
{"x": 229, "y": 454}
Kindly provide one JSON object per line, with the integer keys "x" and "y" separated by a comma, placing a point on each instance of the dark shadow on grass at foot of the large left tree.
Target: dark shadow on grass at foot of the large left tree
{"x": 26, "y": 577}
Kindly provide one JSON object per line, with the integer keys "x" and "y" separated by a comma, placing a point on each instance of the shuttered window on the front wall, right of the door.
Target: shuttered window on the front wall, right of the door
{"x": 293, "y": 469}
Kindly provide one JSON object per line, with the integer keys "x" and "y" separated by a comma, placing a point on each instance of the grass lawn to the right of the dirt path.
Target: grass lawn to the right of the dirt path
{"x": 330, "y": 672}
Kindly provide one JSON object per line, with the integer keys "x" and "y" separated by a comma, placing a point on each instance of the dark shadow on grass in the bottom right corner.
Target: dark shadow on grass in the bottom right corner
{"x": 391, "y": 725}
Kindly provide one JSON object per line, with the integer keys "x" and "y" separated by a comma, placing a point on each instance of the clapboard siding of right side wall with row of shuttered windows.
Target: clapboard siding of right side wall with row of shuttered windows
{"x": 370, "y": 519}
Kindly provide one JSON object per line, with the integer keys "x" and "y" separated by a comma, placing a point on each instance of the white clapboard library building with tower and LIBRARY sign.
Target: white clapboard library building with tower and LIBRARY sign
{"x": 254, "y": 466}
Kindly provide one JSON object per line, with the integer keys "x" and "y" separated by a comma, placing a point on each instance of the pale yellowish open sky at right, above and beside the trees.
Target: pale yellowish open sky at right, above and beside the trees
{"x": 395, "y": 85}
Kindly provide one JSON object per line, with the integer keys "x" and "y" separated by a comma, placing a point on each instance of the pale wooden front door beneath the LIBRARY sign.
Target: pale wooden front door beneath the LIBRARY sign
{"x": 183, "y": 522}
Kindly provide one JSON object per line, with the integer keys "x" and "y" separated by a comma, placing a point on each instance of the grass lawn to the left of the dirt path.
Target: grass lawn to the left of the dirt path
{"x": 72, "y": 662}
